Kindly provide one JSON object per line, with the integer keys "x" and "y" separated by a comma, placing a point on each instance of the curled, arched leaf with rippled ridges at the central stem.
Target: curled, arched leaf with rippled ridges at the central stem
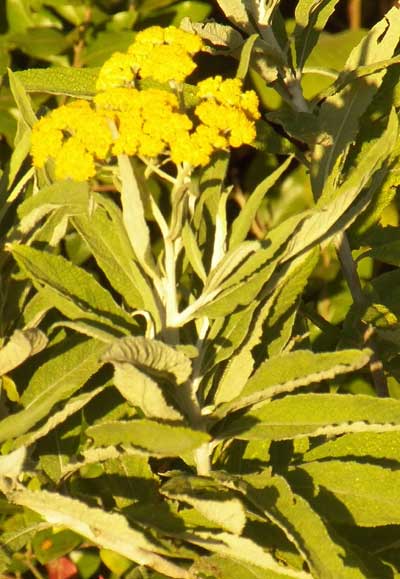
{"x": 153, "y": 356}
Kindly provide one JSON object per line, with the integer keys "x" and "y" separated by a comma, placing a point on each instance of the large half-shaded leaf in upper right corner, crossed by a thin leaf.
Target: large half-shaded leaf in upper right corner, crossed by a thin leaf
{"x": 340, "y": 114}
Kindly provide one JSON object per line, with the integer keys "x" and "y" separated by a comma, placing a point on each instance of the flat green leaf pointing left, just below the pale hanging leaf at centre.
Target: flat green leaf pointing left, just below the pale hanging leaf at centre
{"x": 151, "y": 436}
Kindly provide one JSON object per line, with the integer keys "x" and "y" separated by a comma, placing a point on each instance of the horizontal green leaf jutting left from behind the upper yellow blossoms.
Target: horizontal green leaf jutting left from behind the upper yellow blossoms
{"x": 75, "y": 82}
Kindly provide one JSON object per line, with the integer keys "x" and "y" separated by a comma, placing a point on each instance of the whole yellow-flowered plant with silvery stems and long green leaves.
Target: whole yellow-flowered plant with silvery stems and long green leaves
{"x": 175, "y": 411}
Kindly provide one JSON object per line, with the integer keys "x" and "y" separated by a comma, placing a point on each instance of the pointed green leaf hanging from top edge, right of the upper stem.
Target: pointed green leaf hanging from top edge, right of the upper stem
{"x": 311, "y": 17}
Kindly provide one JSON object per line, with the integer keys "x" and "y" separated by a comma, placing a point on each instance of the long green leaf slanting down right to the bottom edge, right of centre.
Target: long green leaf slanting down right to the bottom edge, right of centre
{"x": 302, "y": 525}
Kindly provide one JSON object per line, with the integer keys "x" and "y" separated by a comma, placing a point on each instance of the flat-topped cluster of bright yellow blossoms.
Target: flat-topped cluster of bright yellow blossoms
{"x": 151, "y": 123}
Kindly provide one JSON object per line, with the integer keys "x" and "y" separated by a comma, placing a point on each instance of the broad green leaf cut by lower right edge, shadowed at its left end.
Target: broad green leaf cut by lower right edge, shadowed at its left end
{"x": 351, "y": 492}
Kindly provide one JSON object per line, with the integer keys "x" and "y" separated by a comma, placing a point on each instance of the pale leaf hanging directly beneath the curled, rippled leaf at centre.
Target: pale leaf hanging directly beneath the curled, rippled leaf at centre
{"x": 141, "y": 391}
